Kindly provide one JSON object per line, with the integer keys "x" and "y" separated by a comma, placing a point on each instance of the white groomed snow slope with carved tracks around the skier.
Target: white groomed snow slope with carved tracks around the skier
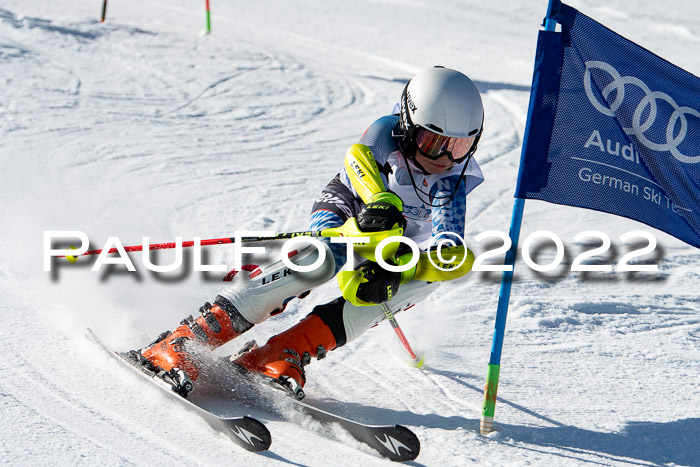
{"x": 143, "y": 126}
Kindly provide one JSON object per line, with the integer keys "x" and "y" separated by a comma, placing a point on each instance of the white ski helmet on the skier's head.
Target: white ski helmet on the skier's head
{"x": 441, "y": 100}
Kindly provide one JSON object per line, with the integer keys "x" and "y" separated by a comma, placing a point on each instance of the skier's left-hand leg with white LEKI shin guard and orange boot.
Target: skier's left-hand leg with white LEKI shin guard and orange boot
{"x": 253, "y": 299}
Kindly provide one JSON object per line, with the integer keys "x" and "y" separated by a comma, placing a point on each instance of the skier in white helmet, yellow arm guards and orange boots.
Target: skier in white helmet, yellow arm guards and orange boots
{"x": 423, "y": 154}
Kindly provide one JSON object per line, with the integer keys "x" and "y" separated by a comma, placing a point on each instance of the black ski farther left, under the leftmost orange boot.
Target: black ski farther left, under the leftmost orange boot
{"x": 245, "y": 431}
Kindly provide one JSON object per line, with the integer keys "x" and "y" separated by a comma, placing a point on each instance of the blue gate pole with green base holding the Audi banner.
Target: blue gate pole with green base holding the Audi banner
{"x": 494, "y": 368}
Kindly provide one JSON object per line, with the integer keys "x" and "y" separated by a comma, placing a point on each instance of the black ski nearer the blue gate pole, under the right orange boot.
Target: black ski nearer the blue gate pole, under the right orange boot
{"x": 395, "y": 442}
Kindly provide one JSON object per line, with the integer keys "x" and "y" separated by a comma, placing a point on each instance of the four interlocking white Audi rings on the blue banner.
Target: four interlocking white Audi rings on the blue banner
{"x": 639, "y": 127}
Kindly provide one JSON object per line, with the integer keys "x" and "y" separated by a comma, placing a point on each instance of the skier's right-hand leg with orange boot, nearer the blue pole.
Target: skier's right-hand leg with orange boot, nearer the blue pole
{"x": 327, "y": 327}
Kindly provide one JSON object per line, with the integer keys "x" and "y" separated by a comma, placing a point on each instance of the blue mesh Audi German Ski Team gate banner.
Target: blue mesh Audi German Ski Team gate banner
{"x": 612, "y": 127}
